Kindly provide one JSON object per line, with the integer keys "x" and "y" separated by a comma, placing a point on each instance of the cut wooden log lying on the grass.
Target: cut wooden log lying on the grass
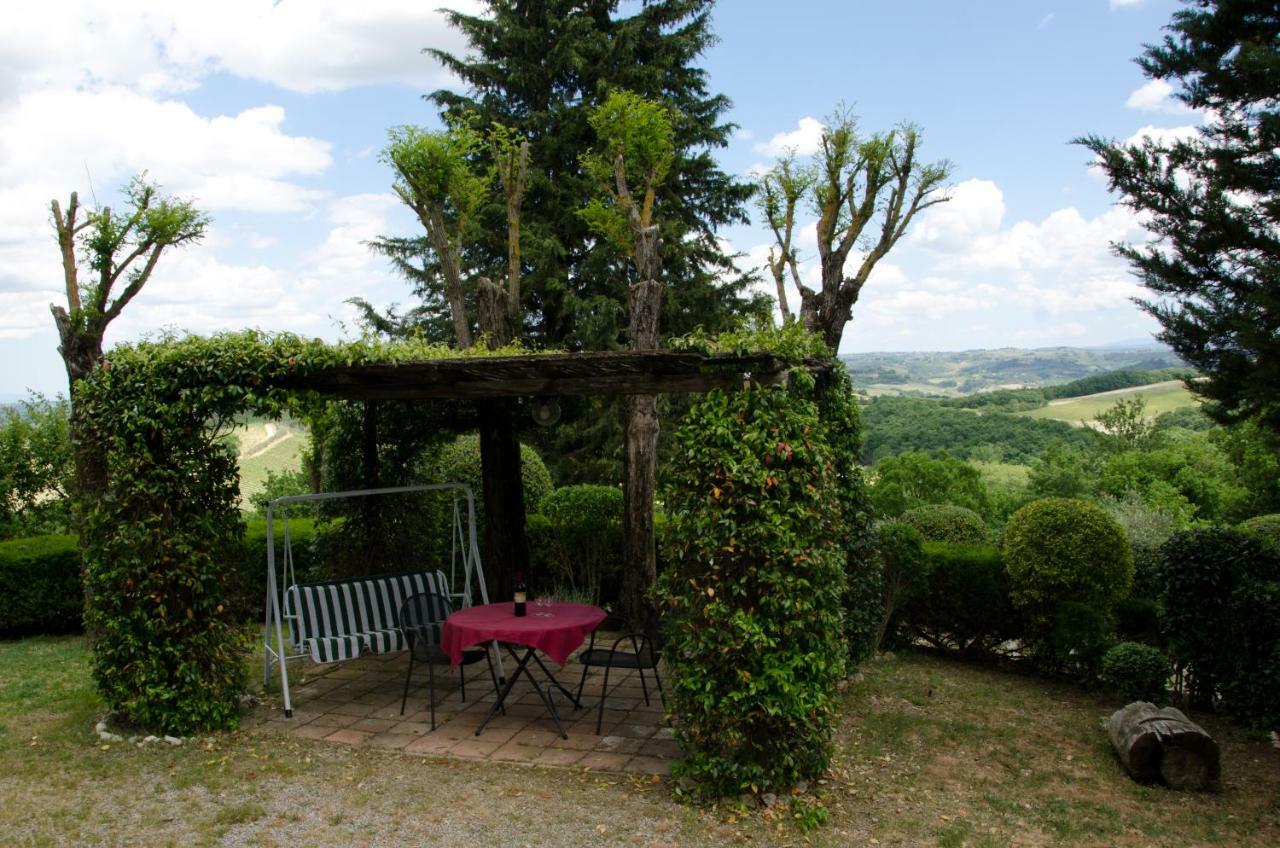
{"x": 1163, "y": 745}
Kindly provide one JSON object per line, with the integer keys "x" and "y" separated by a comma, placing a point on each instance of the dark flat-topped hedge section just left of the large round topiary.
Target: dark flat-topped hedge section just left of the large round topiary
{"x": 966, "y": 604}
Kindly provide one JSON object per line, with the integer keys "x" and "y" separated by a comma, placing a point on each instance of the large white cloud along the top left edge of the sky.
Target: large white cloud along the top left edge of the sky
{"x": 161, "y": 47}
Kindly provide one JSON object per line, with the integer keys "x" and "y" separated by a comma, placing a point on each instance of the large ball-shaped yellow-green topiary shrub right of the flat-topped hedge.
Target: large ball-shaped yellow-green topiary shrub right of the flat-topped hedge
{"x": 1069, "y": 564}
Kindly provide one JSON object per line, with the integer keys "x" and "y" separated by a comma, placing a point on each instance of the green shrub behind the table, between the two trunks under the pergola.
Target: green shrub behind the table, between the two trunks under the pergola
{"x": 586, "y": 525}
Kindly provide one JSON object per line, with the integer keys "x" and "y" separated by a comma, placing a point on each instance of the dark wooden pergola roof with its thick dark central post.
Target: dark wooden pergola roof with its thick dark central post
{"x": 495, "y": 382}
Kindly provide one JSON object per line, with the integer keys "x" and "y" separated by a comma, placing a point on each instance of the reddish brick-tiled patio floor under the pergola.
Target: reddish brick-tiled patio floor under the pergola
{"x": 358, "y": 704}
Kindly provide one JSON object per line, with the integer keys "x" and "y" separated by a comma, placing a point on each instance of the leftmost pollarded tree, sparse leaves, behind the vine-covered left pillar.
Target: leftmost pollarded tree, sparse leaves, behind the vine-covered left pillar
{"x": 121, "y": 252}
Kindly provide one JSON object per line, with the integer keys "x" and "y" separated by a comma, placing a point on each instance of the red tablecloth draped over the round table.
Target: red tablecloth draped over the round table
{"x": 557, "y": 636}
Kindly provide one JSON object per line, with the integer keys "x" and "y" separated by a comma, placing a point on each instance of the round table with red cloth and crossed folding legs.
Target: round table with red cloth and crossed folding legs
{"x": 557, "y": 633}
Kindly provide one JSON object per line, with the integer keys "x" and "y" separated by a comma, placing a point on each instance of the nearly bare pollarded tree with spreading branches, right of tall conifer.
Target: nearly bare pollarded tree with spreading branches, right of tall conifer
{"x": 874, "y": 185}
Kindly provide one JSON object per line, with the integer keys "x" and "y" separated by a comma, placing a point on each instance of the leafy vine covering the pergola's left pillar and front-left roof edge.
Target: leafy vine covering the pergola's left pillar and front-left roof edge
{"x": 170, "y": 649}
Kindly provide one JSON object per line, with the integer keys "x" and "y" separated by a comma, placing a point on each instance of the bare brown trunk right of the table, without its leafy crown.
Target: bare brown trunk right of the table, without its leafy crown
{"x": 641, "y": 463}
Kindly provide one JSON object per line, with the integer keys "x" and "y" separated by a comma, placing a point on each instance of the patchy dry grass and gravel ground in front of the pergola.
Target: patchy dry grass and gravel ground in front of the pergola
{"x": 930, "y": 753}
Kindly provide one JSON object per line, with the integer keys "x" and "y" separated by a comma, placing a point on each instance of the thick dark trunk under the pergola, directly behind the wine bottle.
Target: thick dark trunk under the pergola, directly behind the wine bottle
{"x": 506, "y": 550}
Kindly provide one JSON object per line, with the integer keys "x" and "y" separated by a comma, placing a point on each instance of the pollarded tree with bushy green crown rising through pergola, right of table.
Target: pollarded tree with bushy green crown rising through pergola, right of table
{"x": 634, "y": 154}
